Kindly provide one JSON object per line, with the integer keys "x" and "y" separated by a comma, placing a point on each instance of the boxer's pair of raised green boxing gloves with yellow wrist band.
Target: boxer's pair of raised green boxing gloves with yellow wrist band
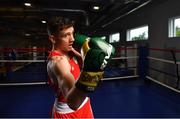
{"x": 96, "y": 54}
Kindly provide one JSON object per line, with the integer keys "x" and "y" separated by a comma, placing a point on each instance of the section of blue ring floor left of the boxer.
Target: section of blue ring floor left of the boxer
{"x": 26, "y": 101}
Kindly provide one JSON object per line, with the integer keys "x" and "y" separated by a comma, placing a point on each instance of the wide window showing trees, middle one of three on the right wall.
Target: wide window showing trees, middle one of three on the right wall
{"x": 136, "y": 34}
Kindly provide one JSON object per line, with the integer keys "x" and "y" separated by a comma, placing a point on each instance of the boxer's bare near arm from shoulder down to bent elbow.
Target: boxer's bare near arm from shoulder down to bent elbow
{"x": 66, "y": 83}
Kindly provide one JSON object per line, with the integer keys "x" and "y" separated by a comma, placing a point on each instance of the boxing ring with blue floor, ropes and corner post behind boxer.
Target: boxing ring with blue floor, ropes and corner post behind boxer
{"x": 136, "y": 84}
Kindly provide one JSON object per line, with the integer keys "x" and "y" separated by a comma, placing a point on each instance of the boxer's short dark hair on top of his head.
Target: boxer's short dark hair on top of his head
{"x": 57, "y": 24}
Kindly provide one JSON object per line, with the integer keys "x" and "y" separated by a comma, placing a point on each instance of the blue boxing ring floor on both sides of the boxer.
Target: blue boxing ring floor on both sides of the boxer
{"x": 112, "y": 99}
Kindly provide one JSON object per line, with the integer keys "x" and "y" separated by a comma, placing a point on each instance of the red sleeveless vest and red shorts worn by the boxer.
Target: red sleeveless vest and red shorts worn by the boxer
{"x": 83, "y": 112}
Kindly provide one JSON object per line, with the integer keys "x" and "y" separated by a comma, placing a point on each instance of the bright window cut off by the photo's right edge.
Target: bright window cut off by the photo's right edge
{"x": 174, "y": 27}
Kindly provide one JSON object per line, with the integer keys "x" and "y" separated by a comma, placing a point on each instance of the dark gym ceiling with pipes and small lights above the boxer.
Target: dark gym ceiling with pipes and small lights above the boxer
{"x": 18, "y": 19}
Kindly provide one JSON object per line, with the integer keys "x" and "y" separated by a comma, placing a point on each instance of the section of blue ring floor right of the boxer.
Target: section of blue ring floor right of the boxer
{"x": 122, "y": 99}
